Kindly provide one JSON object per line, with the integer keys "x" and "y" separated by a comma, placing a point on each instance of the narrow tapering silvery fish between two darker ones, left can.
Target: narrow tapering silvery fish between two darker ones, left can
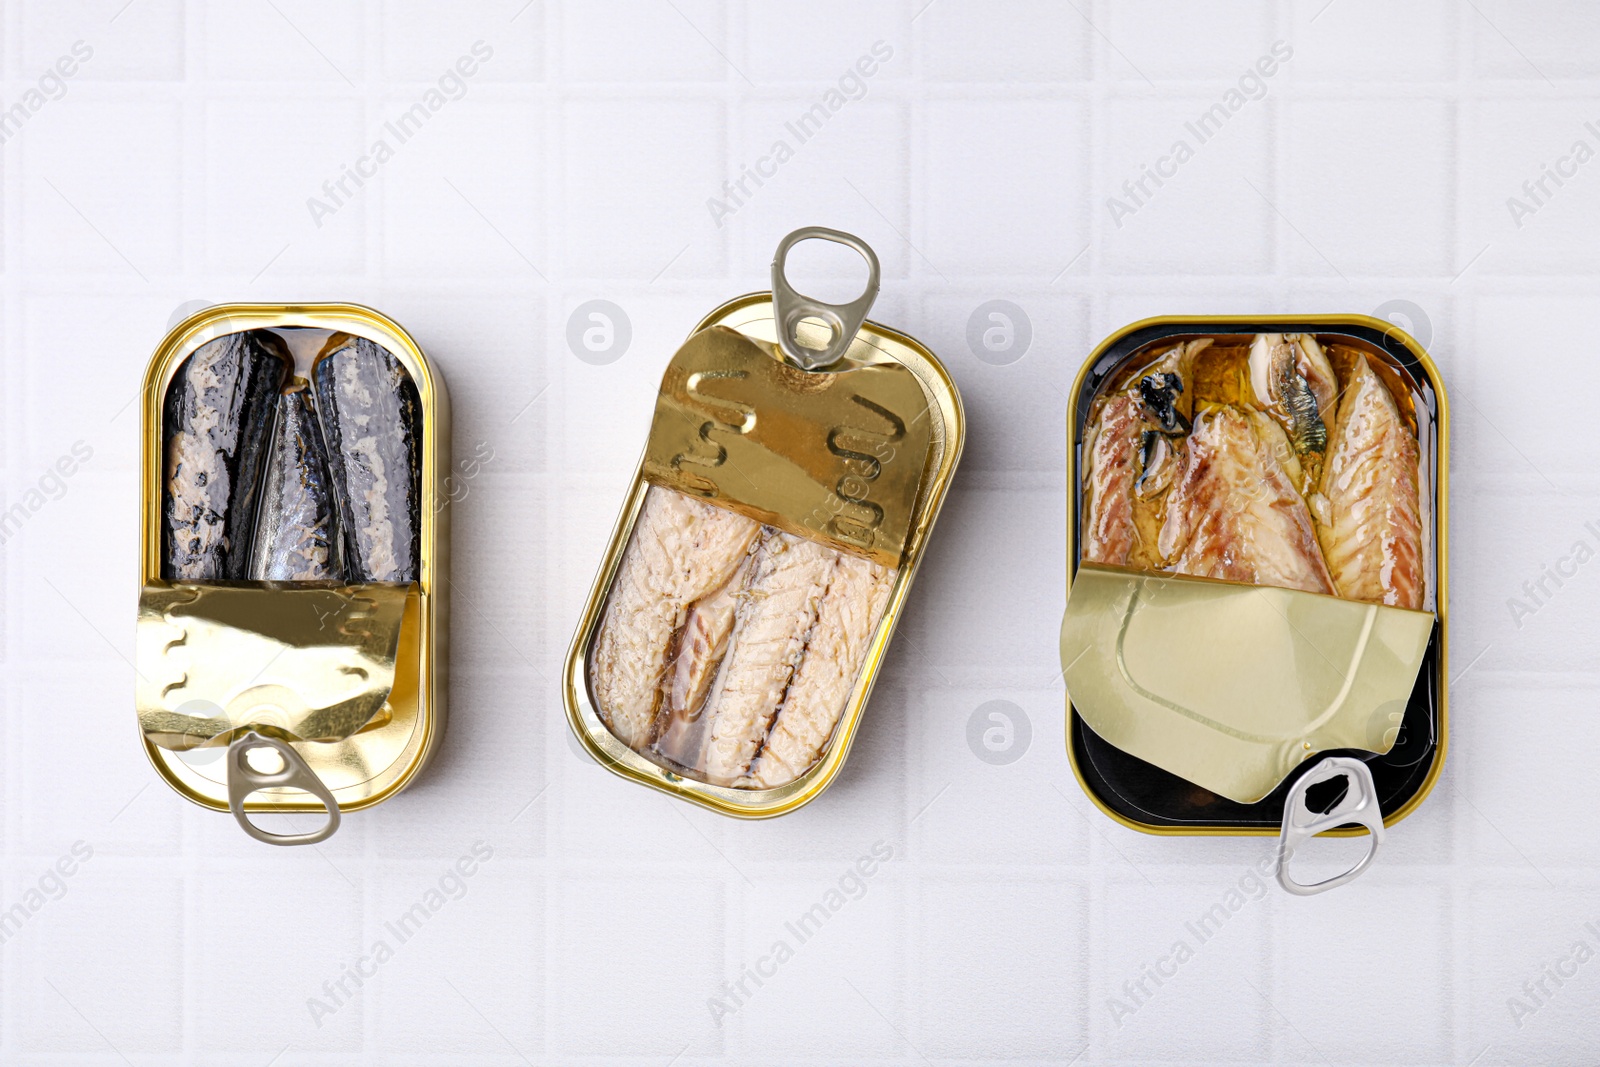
{"x": 297, "y": 527}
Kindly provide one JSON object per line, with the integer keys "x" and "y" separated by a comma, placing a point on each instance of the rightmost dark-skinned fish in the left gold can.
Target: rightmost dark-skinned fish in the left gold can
{"x": 372, "y": 423}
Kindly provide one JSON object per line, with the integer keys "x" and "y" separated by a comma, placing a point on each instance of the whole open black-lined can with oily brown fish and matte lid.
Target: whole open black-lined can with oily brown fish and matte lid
{"x": 1378, "y": 666}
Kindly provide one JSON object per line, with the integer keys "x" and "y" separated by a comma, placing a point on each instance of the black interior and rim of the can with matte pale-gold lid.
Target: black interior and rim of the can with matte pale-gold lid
{"x": 1148, "y": 796}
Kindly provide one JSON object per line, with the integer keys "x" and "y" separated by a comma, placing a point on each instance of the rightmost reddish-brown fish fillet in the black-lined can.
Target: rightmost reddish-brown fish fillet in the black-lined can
{"x": 1372, "y": 527}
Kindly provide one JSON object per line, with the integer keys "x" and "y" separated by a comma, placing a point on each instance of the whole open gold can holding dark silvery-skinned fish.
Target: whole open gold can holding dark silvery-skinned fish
{"x": 294, "y": 549}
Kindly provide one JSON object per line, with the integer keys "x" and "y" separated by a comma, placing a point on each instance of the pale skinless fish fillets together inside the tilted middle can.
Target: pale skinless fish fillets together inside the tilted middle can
{"x": 718, "y": 623}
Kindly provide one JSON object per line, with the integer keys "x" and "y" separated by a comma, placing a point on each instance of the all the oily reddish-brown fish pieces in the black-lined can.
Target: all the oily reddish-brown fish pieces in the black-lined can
{"x": 1262, "y": 466}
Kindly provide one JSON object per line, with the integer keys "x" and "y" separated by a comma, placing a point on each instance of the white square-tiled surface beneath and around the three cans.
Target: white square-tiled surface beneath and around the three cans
{"x": 578, "y": 166}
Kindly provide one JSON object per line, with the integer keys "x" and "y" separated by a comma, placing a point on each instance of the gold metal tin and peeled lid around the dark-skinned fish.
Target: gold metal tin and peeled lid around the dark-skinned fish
{"x": 370, "y": 761}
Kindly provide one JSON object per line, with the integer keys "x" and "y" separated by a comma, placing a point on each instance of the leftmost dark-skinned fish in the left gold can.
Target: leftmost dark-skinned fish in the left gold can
{"x": 217, "y": 423}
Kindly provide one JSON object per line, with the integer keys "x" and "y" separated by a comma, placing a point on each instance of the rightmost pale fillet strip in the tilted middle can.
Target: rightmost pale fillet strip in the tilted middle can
{"x": 847, "y": 620}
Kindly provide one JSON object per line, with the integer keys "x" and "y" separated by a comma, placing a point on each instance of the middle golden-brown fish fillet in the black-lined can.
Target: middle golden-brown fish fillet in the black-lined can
{"x": 1234, "y": 514}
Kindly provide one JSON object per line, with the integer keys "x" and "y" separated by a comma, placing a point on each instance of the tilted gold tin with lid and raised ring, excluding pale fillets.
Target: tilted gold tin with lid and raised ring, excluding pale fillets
{"x": 777, "y": 494}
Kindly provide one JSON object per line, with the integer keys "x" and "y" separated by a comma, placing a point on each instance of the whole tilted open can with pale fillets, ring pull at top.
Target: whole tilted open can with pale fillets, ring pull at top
{"x": 794, "y": 470}
